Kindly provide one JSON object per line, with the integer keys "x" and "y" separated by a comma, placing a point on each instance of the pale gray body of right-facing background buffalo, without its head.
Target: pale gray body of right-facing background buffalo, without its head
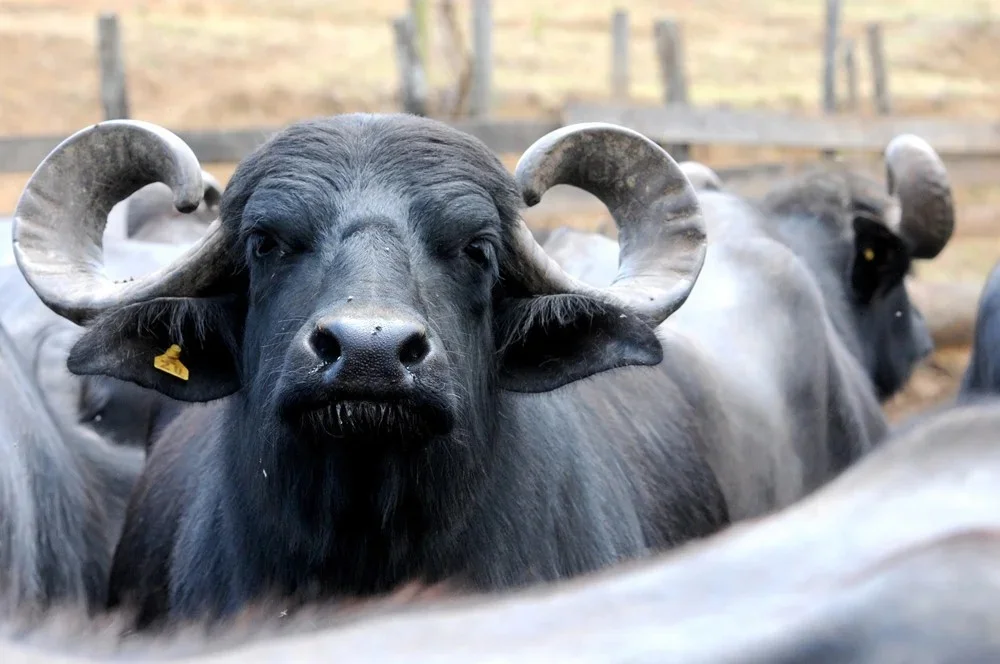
{"x": 758, "y": 319}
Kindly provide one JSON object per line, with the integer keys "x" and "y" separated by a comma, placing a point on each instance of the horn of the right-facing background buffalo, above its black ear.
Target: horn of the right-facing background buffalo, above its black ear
{"x": 916, "y": 176}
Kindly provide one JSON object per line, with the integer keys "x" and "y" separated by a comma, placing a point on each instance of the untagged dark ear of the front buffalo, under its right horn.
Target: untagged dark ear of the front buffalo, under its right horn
{"x": 547, "y": 342}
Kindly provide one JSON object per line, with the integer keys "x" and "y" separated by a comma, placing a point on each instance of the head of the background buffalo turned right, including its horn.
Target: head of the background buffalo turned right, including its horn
{"x": 869, "y": 234}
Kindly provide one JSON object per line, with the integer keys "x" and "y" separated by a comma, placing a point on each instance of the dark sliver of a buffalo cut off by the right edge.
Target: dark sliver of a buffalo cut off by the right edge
{"x": 982, "y": 374}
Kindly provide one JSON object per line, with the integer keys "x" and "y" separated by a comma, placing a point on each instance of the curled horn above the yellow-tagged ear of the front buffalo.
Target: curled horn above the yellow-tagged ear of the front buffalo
{"x": 59, "y": 221}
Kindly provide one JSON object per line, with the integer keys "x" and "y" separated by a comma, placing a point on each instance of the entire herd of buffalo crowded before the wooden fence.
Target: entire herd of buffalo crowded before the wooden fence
{"x": 349, "y": 408}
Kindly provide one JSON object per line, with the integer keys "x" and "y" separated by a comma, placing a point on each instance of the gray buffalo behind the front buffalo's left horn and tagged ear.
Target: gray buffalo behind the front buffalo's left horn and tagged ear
{"x": 144, "y": 232}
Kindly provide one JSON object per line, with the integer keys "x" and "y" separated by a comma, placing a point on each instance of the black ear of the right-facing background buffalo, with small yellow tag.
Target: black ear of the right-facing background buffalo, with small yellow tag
{"x": 881, "y": 259}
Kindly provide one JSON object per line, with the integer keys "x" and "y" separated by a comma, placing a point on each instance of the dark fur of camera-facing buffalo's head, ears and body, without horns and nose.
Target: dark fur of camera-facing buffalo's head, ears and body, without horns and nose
{"x": 471, "y": 478}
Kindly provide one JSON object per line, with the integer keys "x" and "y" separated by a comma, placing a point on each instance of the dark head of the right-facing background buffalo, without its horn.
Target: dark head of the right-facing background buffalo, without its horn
{"x": 829, "y": 217}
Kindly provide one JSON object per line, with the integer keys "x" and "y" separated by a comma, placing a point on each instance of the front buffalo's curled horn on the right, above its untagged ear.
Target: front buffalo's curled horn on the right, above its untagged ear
{"x": 661, "y": 234}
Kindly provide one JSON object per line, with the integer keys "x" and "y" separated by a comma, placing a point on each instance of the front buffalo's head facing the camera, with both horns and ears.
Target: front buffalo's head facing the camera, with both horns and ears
{"x": 366, "y": 273}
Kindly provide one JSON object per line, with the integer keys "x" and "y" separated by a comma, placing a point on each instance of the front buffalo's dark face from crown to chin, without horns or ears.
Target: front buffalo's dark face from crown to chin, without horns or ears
{"x": 370, "y": 299}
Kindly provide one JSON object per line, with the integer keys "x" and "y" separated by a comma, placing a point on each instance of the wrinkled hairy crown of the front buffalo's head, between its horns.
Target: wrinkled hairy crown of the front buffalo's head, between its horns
{"x": 393, "y": 151}
